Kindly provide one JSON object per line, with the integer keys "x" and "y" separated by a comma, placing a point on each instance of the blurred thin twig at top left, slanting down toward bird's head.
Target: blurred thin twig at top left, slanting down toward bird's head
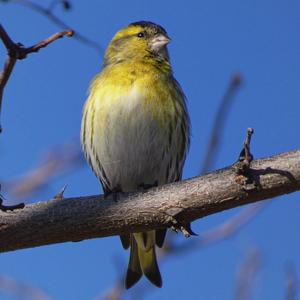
{"x": 48, "y": 13}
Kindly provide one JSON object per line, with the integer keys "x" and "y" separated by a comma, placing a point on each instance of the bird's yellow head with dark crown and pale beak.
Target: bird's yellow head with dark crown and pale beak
{"x": 138, "y": 41}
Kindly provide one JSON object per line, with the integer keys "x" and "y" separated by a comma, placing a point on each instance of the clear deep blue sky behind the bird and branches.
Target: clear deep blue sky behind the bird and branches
{"x": 211, "y": 40}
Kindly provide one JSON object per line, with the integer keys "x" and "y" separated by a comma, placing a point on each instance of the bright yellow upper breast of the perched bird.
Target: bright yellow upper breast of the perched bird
{"x": 129, "y": 86}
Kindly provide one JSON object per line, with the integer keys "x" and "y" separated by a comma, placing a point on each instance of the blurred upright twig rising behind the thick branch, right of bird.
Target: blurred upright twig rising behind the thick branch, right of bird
{"x": 218, "y": 124}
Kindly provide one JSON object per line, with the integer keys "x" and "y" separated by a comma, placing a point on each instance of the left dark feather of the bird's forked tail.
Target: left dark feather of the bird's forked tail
{"x": 134, "y": 271}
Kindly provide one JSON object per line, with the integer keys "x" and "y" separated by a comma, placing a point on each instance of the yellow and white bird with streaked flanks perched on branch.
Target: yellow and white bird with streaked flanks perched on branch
{"x": 135, "y": 130}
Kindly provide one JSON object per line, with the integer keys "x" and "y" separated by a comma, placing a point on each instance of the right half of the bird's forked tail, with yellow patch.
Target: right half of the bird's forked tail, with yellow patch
{"x": 149, "y": 265}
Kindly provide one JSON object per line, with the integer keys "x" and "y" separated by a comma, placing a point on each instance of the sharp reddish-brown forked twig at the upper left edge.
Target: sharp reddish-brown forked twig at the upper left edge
{"x": 18, "y": 51}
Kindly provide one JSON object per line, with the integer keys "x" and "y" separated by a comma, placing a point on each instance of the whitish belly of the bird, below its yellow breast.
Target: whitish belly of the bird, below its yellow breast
{"x": 130, "y": 144}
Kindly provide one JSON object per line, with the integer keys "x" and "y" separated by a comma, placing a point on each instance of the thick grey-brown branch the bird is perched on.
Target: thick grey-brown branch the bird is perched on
{"x": 74, "y": 219}
